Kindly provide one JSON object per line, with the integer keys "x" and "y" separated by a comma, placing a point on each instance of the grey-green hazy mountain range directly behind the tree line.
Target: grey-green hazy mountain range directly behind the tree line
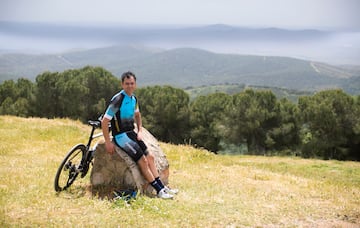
{"x": 187, "y": 67}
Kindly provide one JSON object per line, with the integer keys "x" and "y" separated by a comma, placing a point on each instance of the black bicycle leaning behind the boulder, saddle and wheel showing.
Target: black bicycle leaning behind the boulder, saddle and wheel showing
{"x": 77, "y": 160}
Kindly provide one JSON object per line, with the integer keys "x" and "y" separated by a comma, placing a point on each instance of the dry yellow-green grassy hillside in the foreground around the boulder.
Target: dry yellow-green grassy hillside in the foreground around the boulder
{"x": 216, "y": 191}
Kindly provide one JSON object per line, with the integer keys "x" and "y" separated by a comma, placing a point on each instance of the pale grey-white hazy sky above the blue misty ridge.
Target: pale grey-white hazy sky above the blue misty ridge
{"x": 260, "y": 13}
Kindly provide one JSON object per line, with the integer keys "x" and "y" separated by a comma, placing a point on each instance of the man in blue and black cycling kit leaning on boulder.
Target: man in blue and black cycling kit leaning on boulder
{"x": 121, "y": 112}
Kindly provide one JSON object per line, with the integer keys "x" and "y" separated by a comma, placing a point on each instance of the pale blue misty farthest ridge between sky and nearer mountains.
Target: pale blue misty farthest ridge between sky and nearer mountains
{"x": 334, "y": 47}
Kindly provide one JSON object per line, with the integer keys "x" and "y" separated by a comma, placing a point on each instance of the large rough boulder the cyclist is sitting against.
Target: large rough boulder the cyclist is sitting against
{"x": 118, "y": 171}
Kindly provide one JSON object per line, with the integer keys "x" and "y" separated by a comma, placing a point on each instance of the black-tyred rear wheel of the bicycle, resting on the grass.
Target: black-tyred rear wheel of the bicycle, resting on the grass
{"x": 69, "y": 168}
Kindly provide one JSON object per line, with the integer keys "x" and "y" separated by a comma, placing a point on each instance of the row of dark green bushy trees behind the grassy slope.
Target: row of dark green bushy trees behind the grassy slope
{"x": 325, "y": 125}
